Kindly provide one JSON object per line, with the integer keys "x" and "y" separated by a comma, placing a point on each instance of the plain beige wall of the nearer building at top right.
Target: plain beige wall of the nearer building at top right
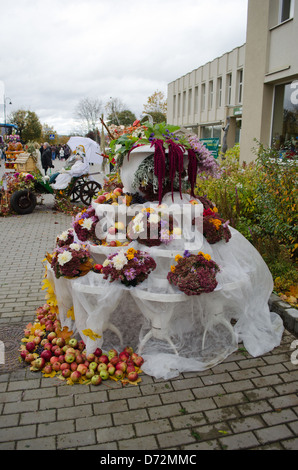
{"x": 271, "y": 58}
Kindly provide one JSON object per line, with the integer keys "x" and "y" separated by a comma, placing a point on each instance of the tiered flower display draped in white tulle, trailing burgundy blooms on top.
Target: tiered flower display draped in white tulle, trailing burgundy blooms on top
{"x": 152, "y": 264}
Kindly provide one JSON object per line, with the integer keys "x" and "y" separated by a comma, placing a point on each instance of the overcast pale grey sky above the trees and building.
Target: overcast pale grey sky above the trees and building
{"x": 56, "y": 52}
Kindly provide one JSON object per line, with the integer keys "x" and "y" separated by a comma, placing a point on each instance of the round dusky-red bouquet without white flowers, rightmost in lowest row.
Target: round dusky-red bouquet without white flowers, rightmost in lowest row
{"x": 194, "y": 274}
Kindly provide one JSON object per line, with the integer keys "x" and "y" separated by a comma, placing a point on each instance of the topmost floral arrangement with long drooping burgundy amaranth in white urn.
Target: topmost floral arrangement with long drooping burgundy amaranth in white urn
{"x": 165, "y": 170}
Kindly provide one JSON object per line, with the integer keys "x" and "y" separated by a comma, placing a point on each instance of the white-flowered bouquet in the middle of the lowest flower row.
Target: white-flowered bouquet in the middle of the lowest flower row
{"x": 130, "y": 268}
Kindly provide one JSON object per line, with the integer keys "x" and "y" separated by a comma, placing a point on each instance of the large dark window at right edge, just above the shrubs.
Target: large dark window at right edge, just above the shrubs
{"x": 285, "y": 118}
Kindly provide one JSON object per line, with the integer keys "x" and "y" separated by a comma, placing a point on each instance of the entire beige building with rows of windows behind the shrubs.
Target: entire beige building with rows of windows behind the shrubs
{"x": 248, "y": 93}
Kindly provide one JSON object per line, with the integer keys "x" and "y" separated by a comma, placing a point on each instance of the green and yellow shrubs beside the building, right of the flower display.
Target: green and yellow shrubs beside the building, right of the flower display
{"x": 260, "y": 201}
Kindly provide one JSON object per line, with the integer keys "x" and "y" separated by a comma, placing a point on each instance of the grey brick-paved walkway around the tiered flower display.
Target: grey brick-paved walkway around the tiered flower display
{"x": 243, "y": 403}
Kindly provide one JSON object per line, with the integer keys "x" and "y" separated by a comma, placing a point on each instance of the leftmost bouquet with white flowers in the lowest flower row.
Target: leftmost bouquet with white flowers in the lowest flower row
{"x": 70, "y": 261}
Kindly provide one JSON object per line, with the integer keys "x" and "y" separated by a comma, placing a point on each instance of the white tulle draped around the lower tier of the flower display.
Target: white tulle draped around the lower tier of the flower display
{"x": 174, "y": 332}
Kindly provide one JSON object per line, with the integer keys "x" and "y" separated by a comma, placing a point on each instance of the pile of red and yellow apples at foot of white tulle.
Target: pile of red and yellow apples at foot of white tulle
{"x": 48, "y": 352}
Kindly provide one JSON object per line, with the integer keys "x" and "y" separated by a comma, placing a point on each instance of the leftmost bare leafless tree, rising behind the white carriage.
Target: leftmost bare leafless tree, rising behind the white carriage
{"x": 89, "y": 112}
